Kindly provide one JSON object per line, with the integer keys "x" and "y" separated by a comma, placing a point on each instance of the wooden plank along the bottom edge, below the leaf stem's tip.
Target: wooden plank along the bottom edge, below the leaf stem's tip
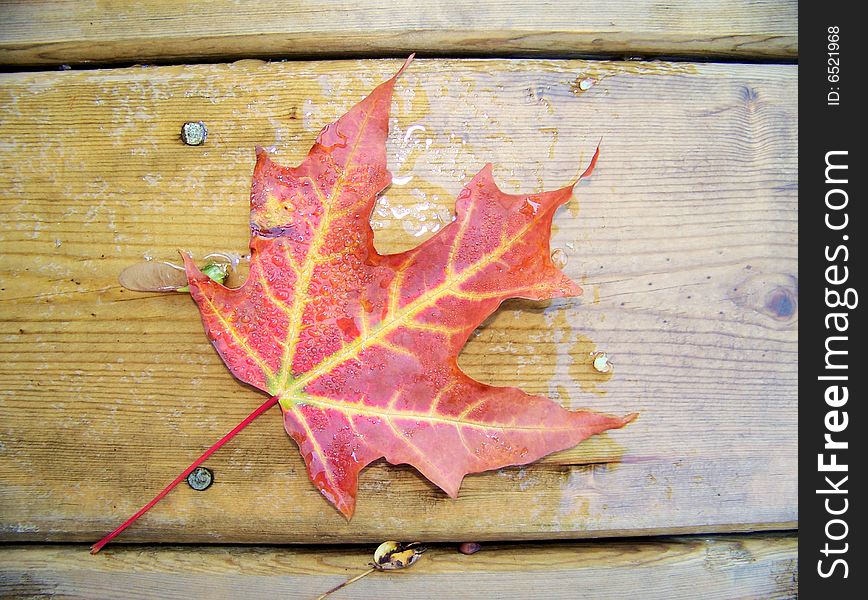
{"x": 747, "y": 566}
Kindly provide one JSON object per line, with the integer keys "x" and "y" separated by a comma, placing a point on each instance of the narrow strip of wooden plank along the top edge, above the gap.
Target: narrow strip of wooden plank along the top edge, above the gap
{"x": 53, "y": 33}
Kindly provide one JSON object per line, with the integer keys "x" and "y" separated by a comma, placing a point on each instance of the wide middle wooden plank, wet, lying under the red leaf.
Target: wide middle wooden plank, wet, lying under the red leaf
{"x": 684, "y": 240}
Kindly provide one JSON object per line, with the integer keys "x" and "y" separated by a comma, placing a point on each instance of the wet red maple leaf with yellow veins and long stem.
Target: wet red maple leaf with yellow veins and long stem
{"x": 360, "y": 350}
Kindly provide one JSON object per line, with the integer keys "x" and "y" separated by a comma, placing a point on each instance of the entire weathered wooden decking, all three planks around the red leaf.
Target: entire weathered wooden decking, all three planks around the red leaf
{"x": 684, "y": 240}
